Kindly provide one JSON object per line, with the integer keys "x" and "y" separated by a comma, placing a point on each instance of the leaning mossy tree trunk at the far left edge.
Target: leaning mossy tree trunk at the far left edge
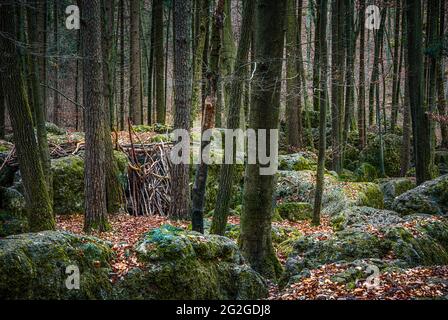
{"x": 37, "y": 199}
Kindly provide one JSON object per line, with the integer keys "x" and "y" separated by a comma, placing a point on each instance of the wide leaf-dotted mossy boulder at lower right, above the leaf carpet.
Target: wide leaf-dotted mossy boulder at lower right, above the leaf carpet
{"x": 367, "y": 234}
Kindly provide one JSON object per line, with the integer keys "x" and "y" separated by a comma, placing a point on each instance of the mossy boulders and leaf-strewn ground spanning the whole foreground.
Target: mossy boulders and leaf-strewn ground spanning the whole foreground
{"x": 379, "y": 238}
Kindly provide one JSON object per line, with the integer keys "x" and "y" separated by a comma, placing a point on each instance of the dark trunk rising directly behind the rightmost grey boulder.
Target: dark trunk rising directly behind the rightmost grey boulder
{"x": 420, "y": 120}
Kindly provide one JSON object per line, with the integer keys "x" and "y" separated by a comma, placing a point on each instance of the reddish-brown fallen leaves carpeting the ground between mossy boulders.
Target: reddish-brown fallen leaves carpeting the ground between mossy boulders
{"x": 415, "y": 283}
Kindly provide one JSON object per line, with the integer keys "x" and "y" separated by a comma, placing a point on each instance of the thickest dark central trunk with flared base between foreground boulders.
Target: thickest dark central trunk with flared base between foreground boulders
{"x": 255, "y": 239}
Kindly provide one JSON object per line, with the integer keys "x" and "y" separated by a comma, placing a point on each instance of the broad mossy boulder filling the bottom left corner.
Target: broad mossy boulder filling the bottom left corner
{"x": 34, "y": 265}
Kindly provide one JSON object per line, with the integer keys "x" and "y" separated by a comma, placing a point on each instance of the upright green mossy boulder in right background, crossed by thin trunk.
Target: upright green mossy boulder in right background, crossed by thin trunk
{"x": 392, "y": 149}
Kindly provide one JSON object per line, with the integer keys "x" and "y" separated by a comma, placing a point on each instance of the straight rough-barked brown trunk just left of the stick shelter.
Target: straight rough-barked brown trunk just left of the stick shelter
{"x": 93, "y": 101}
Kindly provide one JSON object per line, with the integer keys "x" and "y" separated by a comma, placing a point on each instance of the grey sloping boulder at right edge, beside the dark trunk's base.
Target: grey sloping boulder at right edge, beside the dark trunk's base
{"x": 431, "y": 198}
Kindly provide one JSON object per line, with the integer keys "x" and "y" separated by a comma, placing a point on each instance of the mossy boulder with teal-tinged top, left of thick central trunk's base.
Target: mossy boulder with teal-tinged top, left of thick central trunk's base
{"x": 188, "y": 265}
